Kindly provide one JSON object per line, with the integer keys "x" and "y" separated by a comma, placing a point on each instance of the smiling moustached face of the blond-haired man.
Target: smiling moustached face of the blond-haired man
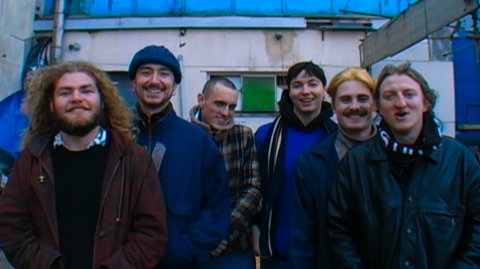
{"x": 354, "y": 106}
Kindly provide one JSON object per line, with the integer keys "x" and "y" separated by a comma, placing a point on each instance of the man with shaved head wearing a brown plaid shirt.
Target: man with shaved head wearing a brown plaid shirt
{"x": 215, "y": 114}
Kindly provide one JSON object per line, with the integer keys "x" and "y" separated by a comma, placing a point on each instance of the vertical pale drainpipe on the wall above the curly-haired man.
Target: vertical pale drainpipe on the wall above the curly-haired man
{"x": 58, "y": 25}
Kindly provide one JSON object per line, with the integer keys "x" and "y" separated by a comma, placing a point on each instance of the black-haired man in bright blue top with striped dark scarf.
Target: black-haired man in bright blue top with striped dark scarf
{"x": 305, "y": 119}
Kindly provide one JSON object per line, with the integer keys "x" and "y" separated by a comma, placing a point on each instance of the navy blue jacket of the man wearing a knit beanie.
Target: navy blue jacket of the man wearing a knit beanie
{"x": 195, "y": 185}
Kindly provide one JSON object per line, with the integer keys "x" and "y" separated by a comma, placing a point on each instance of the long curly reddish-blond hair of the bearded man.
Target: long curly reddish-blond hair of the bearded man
{"x": 36, "y": 104}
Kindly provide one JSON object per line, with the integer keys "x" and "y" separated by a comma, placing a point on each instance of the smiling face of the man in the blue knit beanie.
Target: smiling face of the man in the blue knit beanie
{"x": 154, "y": 86}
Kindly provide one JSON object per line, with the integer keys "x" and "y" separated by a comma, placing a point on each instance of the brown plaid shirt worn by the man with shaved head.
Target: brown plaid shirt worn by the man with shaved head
{"x": 241, "y": 160}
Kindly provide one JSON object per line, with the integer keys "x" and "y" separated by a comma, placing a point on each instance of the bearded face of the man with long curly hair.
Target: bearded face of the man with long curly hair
{"x": 76, "y": 104}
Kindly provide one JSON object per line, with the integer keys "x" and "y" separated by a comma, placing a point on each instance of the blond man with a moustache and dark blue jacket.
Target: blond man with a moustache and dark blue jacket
{"x": 351, "y": 92}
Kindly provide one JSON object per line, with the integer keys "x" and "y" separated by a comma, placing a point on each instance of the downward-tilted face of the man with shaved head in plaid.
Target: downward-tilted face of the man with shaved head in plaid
{"x": 218, "y": 109}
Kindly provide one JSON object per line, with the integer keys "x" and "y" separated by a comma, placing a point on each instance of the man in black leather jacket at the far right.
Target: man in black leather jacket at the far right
{"x": 408, "y": 198}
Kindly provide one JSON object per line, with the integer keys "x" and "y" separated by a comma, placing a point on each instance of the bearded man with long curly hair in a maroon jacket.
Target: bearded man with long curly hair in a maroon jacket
{"x": 82, "y": 194}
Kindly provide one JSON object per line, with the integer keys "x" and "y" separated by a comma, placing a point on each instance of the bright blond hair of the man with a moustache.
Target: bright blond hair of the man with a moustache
{"x": 351, "y": 73}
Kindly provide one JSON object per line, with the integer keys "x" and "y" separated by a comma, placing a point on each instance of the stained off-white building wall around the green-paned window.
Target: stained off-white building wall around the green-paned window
{"x": 220, "y": 51}
